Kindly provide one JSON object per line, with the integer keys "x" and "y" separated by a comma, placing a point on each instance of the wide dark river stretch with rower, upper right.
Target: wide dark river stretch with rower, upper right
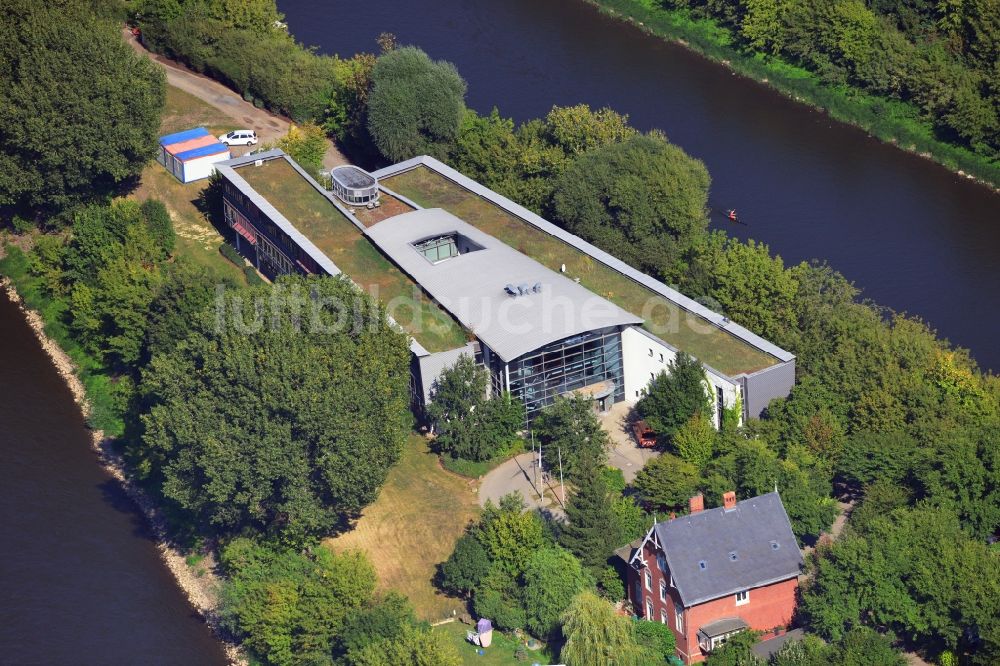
{"x": 915, "y": 237}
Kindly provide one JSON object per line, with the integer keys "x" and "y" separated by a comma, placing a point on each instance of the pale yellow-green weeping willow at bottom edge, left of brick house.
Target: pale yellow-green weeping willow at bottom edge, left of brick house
{"x": 597, "y": 636}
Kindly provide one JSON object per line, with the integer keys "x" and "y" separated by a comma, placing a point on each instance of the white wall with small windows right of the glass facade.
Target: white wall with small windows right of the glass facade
{"x": 644, "y": 357}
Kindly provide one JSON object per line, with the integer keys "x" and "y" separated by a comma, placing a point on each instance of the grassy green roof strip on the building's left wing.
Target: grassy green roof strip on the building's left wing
{"x": 337, "y": 237}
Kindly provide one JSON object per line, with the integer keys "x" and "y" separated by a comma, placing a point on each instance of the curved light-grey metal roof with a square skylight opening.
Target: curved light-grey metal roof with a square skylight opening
{"x": 473, "y": 286}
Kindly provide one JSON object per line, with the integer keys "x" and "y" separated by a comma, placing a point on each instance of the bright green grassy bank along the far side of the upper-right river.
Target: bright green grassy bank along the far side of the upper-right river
{"x": 891, "y": 121}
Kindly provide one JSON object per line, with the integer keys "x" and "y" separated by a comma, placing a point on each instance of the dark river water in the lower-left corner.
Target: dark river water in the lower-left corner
{"x": 81, "y": 581}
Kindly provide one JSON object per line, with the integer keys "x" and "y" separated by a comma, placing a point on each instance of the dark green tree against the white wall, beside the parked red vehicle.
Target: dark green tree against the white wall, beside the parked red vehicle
{"x": 675, "y": 395}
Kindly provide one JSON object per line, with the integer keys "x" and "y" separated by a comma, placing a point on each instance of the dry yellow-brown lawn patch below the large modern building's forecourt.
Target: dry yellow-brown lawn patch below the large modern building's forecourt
{"x": 413, "y": 526}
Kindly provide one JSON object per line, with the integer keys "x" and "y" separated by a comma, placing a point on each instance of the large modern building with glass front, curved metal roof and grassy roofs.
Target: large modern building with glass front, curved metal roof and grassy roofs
{"x": 463, "y": 270}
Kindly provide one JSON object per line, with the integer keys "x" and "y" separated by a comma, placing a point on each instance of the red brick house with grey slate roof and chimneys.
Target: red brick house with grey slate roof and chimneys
{"x": 716, "y": 572}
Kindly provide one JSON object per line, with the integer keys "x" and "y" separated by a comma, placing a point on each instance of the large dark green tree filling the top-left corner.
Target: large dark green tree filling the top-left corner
{"x": 73, "y": 132}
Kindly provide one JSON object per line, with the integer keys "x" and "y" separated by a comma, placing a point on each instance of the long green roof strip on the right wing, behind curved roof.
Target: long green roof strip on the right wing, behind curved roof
{"x": 667, "y": 320}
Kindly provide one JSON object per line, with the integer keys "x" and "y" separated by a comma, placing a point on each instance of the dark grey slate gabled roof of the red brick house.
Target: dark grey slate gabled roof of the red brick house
{"x": 715, "y": 552}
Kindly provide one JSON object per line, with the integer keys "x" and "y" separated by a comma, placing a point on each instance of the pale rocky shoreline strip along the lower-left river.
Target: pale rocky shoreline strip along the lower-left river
{"x": 202, "y": 587}
